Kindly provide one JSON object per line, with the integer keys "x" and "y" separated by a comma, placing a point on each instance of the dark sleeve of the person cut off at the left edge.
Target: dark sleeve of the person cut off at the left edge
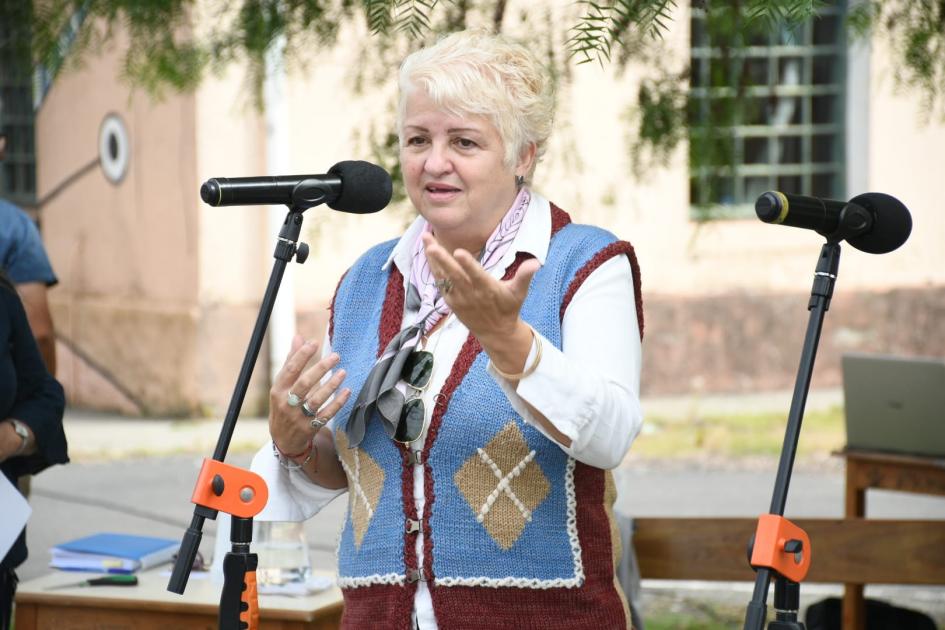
{"x": 39, "y": 401}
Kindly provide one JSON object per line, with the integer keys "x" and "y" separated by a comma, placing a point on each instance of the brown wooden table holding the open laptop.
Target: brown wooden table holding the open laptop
{"x": 872, "y": 469}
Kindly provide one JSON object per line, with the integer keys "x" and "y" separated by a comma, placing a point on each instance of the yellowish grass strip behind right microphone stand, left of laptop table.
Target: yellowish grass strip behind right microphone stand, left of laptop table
{"x": 739, "y": 435}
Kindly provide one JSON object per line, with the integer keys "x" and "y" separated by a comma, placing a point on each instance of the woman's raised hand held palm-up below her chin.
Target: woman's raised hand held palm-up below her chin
{"x": 489, "y": 308}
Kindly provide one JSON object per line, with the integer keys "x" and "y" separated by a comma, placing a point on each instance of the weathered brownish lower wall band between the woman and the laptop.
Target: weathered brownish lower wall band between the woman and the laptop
{"x": 746, "y": 343}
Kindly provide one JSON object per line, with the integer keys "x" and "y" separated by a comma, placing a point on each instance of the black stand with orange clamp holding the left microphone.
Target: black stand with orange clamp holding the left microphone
{"x": 239, "y": 492}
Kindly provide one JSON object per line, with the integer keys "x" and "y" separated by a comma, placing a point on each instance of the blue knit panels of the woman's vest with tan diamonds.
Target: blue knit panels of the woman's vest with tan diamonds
{"x": 503, "y": 508}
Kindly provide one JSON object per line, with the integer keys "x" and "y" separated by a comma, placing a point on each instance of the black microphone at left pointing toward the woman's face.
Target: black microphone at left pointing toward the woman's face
{"x": 349, "y": 186}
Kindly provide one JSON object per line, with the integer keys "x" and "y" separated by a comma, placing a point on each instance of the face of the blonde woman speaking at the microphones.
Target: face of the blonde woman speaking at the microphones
{"x": 454, "y": 172}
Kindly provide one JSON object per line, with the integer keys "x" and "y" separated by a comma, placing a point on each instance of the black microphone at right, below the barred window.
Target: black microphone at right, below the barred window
{"x": 874, "y": 223}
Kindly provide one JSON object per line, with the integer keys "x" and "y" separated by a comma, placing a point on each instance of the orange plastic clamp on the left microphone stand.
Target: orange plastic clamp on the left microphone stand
{"x": 244, "y": 492}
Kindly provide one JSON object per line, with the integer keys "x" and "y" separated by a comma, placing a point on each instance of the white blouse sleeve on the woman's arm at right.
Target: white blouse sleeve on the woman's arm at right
{"x": 590, "y": 389}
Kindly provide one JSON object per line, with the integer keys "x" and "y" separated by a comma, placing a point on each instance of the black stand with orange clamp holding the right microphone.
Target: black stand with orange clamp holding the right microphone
{"x": 779, "y": 548}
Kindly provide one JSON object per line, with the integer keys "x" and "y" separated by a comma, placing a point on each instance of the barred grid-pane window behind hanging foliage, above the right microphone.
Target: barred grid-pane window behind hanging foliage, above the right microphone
{"x": 826, "y": 178}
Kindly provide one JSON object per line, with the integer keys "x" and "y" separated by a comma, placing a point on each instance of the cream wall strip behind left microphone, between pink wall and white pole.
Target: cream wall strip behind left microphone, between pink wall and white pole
{"x": 235, "y": 254}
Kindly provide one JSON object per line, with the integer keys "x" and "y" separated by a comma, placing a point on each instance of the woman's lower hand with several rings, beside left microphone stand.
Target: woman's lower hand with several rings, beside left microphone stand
{"x": 291, "y": 430}
